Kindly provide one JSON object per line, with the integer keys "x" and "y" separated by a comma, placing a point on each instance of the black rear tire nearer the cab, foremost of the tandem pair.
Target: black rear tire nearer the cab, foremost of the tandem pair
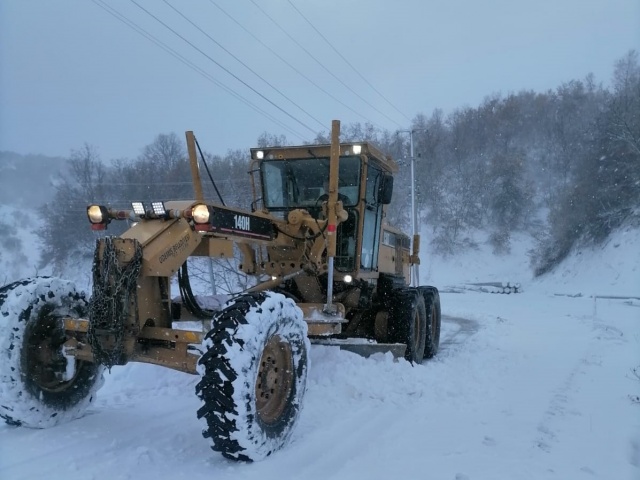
{"x": 408, "y": 322}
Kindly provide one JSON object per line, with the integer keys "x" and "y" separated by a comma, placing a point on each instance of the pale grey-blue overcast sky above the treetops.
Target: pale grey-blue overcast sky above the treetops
{"x": 71, "y": 72}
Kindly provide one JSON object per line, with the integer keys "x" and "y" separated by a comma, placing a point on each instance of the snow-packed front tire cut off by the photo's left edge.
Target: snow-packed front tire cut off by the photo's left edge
{"x": 39, "y": 386}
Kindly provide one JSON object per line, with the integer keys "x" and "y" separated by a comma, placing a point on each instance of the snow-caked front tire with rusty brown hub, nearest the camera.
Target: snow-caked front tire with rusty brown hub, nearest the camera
{"x": 256, "y": 342}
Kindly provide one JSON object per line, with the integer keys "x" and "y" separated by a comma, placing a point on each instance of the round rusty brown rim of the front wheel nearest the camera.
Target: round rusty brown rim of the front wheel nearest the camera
{"x": 275, "y": 380}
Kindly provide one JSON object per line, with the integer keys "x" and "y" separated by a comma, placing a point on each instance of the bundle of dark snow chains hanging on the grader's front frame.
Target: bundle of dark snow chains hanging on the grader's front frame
{"x": 113, "y": 286}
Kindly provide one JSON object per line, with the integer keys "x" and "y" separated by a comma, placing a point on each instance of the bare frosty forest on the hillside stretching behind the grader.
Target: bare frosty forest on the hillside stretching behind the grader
{"x": 563, "y": 165}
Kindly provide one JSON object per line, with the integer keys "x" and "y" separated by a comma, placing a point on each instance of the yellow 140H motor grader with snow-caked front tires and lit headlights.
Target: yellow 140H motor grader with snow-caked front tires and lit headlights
{"x": 328, "y": 270}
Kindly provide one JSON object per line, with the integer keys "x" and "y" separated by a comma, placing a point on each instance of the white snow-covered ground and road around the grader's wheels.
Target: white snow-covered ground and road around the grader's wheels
{"x": 534, "y": 385}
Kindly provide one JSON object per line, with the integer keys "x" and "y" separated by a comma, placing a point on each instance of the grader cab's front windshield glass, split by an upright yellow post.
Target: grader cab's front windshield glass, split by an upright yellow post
{"x": 300, "y": 183}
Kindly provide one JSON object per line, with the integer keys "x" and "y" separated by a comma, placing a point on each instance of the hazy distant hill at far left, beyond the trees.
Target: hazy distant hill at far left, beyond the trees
{"x": 28, "y": 178}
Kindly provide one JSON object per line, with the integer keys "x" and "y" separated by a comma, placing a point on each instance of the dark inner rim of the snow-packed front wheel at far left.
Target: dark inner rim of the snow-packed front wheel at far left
{"x": 45, "y": 364}
